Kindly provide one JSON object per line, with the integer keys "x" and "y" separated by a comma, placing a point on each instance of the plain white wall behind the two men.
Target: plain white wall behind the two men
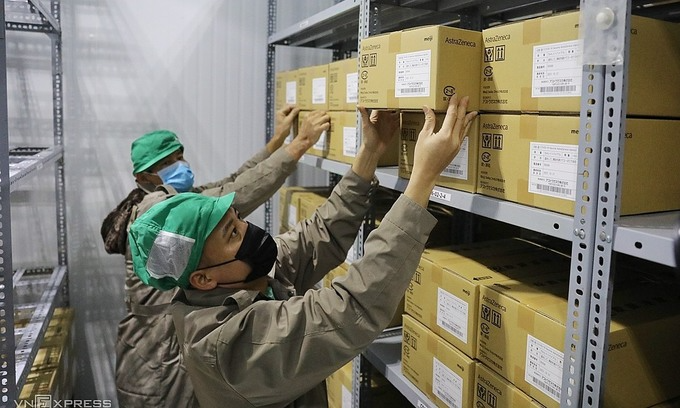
{"x": 130, "y": 66}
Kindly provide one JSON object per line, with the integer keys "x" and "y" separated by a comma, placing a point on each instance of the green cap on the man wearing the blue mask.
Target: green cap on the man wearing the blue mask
{"x": 150, "y": 148}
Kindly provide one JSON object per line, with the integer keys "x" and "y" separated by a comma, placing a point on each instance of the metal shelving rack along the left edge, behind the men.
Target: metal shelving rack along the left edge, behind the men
{"x": 32, "y": 294}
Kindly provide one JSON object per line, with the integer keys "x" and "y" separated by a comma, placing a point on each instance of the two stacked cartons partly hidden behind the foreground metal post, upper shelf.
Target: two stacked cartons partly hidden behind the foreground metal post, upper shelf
{"x": 531, "y": 98}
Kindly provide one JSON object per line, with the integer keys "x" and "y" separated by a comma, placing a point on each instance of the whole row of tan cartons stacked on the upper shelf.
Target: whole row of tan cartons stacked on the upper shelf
{"x": 525, "y": 79}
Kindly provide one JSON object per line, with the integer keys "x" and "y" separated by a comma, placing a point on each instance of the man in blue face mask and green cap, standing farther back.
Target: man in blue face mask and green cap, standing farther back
{"x": 145, "y": 374}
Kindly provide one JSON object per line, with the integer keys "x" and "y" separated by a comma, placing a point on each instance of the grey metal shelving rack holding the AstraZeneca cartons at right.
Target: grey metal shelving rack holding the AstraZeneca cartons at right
{"x": 596, "y": 233}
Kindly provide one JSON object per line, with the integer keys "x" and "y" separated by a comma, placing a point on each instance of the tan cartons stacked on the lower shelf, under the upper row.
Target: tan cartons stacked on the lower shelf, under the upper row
{"x": 485, "y": 327}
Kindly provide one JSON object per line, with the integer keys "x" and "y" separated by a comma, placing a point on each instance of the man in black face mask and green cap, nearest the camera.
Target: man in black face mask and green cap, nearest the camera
{"x": 249, "y": 339}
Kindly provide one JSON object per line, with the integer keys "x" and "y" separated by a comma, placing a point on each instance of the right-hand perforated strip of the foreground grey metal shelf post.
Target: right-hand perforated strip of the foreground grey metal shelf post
{"x": 614, "y": 76}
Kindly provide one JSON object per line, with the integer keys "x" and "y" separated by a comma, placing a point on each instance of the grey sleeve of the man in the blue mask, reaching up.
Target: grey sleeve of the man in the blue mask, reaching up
{"x": 255, "y": 185}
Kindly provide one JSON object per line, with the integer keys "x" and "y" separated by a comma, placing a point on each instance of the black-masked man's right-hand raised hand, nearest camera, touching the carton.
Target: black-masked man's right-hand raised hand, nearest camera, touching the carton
{"x": 435, "y": 150}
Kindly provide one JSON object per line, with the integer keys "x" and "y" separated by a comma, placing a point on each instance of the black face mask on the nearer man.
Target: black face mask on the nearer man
{"x": 258, "y": 250}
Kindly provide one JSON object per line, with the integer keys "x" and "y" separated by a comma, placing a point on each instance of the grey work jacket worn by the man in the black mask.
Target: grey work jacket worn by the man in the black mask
{"x": 243, "y": 350}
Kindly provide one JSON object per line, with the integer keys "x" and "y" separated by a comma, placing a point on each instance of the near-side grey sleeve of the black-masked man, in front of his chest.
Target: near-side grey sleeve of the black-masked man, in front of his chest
{"x": 284, "y": 348}
